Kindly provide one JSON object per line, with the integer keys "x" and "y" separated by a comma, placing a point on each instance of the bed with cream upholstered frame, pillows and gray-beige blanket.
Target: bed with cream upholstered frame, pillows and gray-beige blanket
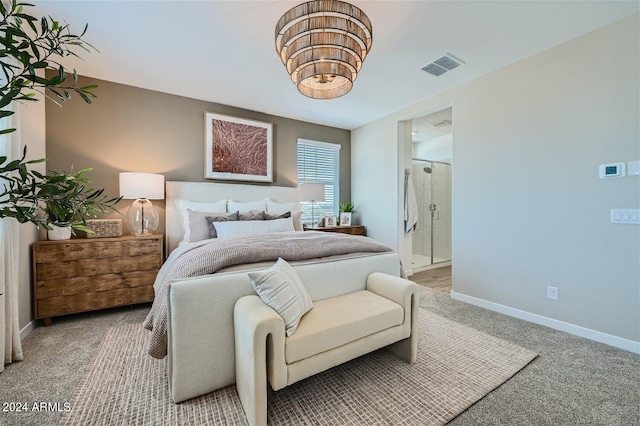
{"x": 191, "y": 320}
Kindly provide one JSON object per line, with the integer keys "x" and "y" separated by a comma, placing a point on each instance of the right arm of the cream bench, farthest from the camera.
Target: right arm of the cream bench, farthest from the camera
{"x": 406, "y": 294}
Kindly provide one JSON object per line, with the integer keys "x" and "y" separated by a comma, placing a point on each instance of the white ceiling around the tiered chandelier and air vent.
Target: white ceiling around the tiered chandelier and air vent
{"x": 223, "y": 51}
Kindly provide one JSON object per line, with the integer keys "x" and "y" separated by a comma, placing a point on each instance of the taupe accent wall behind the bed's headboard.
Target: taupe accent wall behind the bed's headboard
{"x": 132, "y": 129}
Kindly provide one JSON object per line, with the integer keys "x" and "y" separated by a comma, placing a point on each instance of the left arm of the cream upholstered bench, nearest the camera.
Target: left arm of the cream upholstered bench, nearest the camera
{"x": 258, "y": 329}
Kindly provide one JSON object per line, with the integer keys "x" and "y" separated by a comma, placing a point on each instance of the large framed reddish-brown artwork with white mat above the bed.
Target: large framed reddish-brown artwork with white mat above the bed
{"x": 237, "y": 149}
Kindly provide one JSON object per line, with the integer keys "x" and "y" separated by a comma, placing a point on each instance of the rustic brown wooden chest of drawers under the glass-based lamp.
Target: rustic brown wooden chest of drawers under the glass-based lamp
{"x": 81, "y": 275}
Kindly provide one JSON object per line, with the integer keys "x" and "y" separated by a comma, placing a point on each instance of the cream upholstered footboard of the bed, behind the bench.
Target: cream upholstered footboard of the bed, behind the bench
{"x": 200, "y": 351}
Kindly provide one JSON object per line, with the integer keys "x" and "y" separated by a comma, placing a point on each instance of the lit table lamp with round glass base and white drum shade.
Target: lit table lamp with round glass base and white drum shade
{"x": 142, "y": 217}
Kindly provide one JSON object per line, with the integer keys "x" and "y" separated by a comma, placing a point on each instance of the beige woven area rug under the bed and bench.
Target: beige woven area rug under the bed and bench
{"x": 456, "y": 367}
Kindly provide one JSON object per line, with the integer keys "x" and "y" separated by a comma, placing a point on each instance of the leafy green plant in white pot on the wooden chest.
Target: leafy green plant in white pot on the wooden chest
{"x": 68, "y": 203}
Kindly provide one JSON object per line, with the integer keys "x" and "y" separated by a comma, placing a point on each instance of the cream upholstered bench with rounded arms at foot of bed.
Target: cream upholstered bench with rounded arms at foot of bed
{"x": 334, "y": 331}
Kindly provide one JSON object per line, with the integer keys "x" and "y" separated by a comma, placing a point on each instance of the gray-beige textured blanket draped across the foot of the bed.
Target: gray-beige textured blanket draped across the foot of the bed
{"x": 209, "y": 256}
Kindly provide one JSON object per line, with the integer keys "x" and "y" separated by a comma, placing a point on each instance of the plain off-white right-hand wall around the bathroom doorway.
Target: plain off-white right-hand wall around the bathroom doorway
{"x": 528, "y": 207}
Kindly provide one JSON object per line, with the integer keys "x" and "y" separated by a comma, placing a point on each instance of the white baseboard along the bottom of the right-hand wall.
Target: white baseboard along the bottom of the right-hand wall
{"x": 608, "y": 339}
